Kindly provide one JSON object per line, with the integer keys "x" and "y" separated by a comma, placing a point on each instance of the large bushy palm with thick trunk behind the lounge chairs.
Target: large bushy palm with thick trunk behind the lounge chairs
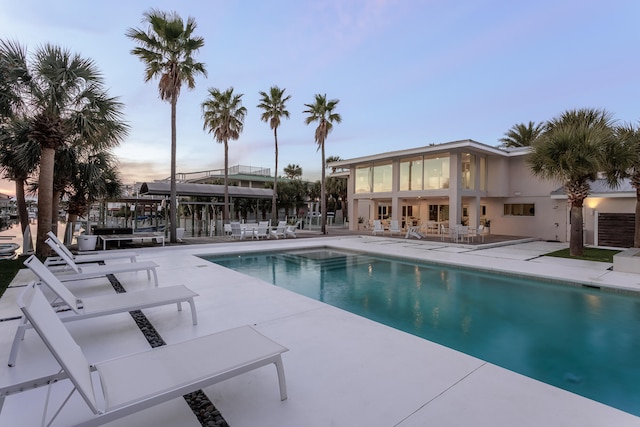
{"x": 67, "y": 104}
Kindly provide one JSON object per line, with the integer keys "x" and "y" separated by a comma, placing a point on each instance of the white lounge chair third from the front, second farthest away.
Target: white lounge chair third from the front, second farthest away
{"x": 92, "y": 271}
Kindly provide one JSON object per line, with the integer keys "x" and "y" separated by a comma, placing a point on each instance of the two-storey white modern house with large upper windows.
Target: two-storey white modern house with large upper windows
{"x": 467, "y": 182}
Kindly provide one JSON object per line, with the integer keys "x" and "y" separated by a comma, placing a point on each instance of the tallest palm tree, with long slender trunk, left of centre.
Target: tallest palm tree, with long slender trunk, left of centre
{"x": 167, "y": 48}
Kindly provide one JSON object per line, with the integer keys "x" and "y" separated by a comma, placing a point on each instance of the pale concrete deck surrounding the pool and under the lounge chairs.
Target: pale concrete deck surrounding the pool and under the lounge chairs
{"x": 341, "y": 370}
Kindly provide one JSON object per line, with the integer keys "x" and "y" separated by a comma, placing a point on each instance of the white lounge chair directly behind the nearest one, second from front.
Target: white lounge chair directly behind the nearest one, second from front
{"x": 86, "y": 308}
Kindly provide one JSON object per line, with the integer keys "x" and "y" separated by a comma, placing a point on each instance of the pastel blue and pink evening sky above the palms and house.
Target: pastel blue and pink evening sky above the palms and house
{"x": 408, "y": 73}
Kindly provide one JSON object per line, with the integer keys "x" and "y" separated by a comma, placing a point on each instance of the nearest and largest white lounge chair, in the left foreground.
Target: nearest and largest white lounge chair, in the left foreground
{"x": 139, "y": 381}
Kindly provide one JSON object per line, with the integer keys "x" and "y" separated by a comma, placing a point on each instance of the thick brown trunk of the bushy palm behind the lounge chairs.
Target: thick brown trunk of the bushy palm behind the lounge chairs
{"x": 45, "y": 195}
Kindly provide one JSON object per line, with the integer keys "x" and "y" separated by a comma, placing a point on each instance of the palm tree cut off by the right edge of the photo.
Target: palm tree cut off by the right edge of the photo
{"x": 623, "y": 161}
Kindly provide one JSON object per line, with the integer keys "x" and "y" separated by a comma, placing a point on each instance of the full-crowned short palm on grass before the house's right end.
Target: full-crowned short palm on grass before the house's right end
{"x": 572, "y": 150}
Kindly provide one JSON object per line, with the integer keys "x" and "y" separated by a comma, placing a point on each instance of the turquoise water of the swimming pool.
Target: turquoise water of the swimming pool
{"x": 583, "y": 340}
